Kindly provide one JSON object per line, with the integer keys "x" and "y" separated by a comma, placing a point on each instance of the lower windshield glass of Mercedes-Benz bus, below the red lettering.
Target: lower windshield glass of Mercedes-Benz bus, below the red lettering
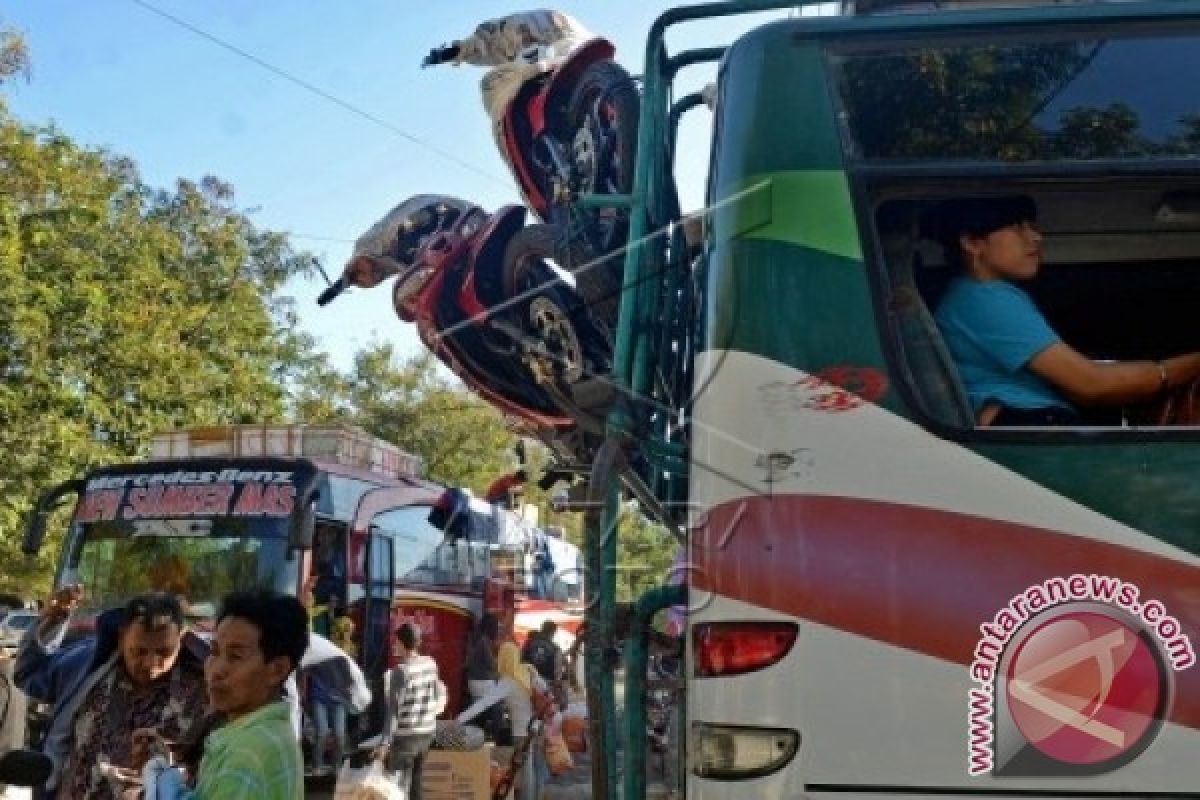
{"x": 201, "y": 561}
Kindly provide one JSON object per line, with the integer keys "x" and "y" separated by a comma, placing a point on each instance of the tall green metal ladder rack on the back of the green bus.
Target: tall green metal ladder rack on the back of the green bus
{"x": 646, "y": 424}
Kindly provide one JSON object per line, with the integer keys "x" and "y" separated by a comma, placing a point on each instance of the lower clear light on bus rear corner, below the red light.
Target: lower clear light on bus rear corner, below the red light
{"x": 737, "y": 754}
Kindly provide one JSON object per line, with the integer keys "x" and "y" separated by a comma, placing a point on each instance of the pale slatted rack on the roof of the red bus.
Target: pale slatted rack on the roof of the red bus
{"x": 343, "y": 446}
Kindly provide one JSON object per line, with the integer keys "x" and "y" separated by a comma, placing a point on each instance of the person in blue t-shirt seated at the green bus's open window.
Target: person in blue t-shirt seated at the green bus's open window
{"x": 1016, "y": 369}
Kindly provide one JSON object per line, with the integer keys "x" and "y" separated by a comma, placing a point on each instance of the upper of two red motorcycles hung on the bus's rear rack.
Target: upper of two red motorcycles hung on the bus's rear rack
{"x": 565, "y": 118}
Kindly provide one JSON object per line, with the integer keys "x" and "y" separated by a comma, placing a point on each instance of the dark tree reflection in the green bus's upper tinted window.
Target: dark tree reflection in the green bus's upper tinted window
{"x": 995, "y": 101}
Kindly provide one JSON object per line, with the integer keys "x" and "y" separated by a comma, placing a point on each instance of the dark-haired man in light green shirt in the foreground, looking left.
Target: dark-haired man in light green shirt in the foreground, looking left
{"x": 261, "y": 637}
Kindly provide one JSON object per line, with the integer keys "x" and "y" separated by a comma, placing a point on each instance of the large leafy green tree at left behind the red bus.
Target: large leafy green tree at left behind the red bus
{"x": 124, "y": 311}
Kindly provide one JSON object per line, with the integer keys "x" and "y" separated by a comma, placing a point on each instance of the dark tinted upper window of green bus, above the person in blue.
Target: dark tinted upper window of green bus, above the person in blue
{"x": 1082, "y": 98}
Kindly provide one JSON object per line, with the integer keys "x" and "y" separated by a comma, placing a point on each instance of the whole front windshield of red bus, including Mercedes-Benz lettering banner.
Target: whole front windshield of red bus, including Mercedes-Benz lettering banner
{"x": 197, "y": 528}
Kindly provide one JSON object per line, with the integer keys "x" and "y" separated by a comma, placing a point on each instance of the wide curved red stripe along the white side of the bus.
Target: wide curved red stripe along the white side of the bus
{"x": 919, "y": 579}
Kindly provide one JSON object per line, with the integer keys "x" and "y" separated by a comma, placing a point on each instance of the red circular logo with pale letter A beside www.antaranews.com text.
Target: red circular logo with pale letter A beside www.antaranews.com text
{"x": 1084, "y": 689}
